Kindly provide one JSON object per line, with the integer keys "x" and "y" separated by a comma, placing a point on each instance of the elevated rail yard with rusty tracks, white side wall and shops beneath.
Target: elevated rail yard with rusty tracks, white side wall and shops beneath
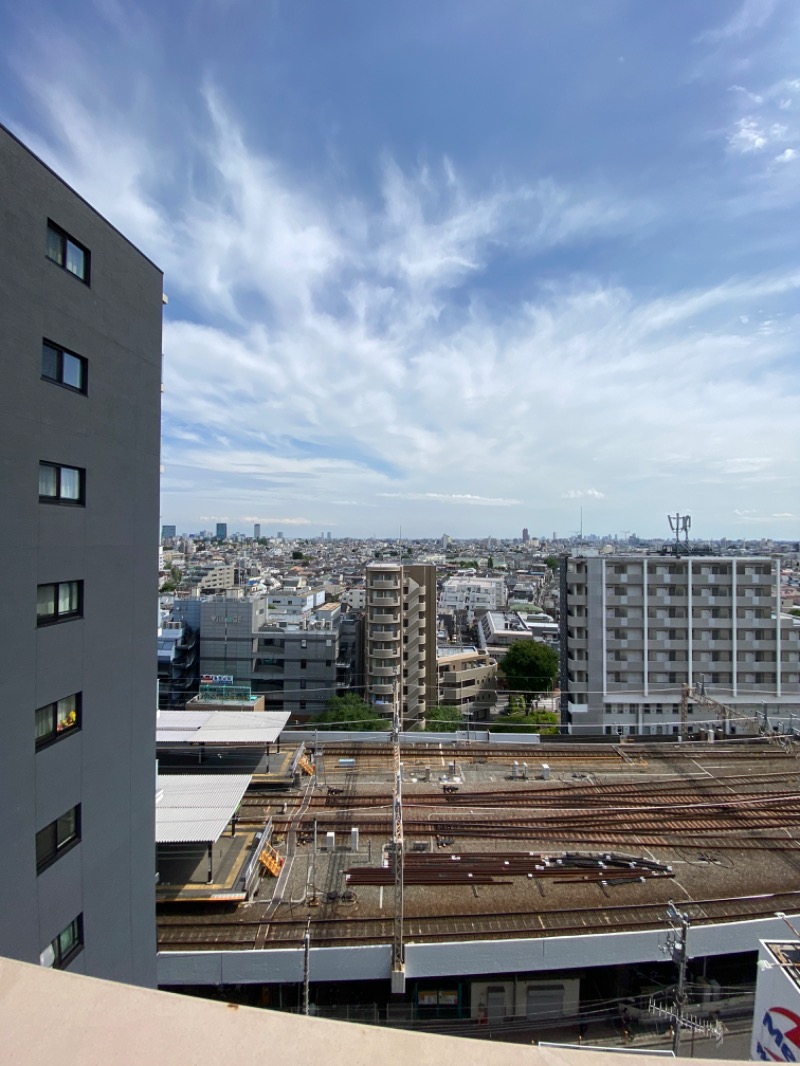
{"x": 538, "y": 880}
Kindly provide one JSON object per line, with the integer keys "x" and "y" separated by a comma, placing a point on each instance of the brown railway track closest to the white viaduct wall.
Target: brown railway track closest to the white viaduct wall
{"x": 188, "y": 933}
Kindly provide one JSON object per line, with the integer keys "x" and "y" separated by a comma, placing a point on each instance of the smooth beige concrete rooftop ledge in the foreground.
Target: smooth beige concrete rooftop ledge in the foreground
{"x": 93, "y": 1023}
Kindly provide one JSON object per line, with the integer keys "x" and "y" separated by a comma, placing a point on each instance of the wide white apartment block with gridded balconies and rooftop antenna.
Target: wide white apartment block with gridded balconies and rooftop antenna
{"x": 636, "y": 629}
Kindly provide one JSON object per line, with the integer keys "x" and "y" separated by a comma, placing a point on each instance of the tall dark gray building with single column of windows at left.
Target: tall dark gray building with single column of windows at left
{"x": 81, "y": 373}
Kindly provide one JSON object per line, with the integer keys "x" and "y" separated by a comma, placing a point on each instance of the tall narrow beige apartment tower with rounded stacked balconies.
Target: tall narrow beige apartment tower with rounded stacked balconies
{"x": 401, "y": 639}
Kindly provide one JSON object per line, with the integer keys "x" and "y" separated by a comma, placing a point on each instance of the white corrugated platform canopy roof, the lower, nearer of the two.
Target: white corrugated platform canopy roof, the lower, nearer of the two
{"x": 196, "y": 809}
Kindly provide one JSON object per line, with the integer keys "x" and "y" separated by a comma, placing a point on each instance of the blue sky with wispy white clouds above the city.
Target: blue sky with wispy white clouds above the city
{"x": 455, "y": 266}
